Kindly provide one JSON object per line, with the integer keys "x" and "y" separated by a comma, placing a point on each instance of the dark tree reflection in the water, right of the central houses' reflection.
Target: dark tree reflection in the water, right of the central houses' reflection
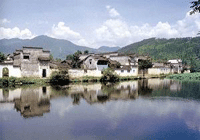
{"x": 143, "y": 88}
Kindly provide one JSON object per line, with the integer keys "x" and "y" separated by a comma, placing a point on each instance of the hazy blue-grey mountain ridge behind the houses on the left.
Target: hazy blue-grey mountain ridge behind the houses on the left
{"x": 58, "y": 47}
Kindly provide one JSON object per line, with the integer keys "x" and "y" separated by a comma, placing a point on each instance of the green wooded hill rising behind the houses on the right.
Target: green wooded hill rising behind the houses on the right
{"x": 165, "y": 49}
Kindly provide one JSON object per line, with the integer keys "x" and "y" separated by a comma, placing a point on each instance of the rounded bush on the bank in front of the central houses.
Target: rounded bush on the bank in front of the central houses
{"x": 109, "y": 75}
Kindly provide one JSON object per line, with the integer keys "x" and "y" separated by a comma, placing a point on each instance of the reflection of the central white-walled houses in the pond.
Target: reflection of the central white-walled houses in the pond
{"x": 98, "y": 93}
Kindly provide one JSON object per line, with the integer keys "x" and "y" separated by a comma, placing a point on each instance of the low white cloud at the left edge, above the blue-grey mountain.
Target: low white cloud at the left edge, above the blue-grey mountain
{"x": 15, "y": 33}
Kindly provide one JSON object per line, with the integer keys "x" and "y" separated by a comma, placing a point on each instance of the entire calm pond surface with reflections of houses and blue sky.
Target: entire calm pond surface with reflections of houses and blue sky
{"x": 148, "y": 109}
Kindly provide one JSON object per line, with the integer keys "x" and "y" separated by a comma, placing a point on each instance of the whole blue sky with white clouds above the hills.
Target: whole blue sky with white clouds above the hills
{"x": 95, "y": 23}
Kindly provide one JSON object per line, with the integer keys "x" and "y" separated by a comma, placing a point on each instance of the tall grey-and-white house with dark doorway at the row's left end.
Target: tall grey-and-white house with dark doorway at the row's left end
{"x": 28, "y": 62}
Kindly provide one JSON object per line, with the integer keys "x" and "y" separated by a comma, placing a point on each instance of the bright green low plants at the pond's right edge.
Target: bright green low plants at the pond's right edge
{"x": 185, "y": 77}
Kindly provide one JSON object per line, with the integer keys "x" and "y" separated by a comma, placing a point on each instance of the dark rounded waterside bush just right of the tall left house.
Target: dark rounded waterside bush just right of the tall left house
{"x": 59, "y": 78}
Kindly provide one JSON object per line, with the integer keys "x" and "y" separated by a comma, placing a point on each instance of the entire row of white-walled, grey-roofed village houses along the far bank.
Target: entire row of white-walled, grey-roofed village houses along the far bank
{"x": 35, "y": 62}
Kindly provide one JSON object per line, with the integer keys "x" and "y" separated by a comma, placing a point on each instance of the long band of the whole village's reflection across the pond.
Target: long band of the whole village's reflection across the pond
{"x": 35, "y": 101}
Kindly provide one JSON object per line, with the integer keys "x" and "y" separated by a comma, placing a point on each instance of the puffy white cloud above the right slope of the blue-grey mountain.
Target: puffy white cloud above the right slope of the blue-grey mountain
{"x": 63, "y": 32}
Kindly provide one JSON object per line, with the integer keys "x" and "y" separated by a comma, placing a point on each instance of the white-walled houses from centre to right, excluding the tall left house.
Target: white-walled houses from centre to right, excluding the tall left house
{"x": 123, "y": 65}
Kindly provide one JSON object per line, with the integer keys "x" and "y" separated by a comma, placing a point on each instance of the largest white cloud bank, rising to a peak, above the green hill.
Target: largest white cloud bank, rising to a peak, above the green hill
{"x": 117, "y": 32}
